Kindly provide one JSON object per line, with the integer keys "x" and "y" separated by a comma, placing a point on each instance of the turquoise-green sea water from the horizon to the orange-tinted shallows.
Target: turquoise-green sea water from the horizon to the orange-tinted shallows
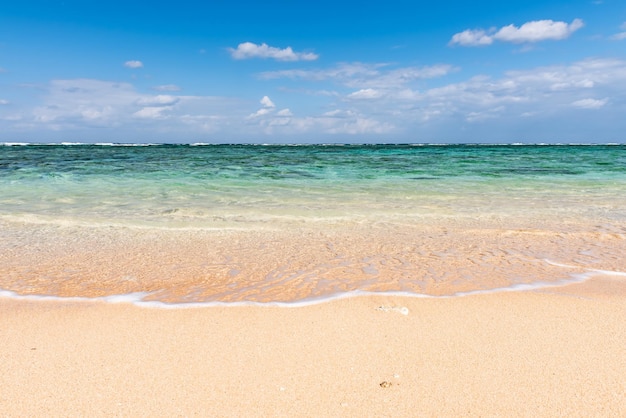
{"x": 183, "y": 185}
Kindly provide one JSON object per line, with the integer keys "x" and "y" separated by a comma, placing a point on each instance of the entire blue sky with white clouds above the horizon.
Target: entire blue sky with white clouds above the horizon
{"x": 281, "y": 71}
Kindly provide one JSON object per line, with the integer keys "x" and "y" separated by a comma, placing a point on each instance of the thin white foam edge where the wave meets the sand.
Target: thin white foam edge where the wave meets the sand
{"x": 138, "y": 298}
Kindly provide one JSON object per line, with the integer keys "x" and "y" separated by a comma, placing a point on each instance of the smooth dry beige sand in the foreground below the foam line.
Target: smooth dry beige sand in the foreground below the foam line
{"x": 557, "y": 352}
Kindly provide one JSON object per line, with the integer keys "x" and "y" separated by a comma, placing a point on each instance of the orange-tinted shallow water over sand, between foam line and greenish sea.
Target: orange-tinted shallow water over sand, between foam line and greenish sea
{"x": 294, "y": 262}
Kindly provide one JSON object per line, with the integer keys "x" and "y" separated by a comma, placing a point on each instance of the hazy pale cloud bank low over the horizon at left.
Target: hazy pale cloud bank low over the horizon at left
{"x": 83, "y": 104}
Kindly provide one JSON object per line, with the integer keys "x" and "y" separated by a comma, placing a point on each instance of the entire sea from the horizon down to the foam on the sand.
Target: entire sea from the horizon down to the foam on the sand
{"x": 187, "y": 224}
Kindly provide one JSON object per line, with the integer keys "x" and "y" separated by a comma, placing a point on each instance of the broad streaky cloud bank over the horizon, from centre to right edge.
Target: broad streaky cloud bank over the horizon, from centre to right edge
{"x": 384, "y": 94}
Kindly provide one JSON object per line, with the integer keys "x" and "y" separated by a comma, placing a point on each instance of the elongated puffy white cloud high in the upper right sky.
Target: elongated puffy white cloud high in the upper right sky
{"x": 533, "y": 31}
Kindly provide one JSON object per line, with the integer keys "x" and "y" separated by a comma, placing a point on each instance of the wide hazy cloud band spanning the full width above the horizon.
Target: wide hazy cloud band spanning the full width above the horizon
{"x": 371, "y": 99}
